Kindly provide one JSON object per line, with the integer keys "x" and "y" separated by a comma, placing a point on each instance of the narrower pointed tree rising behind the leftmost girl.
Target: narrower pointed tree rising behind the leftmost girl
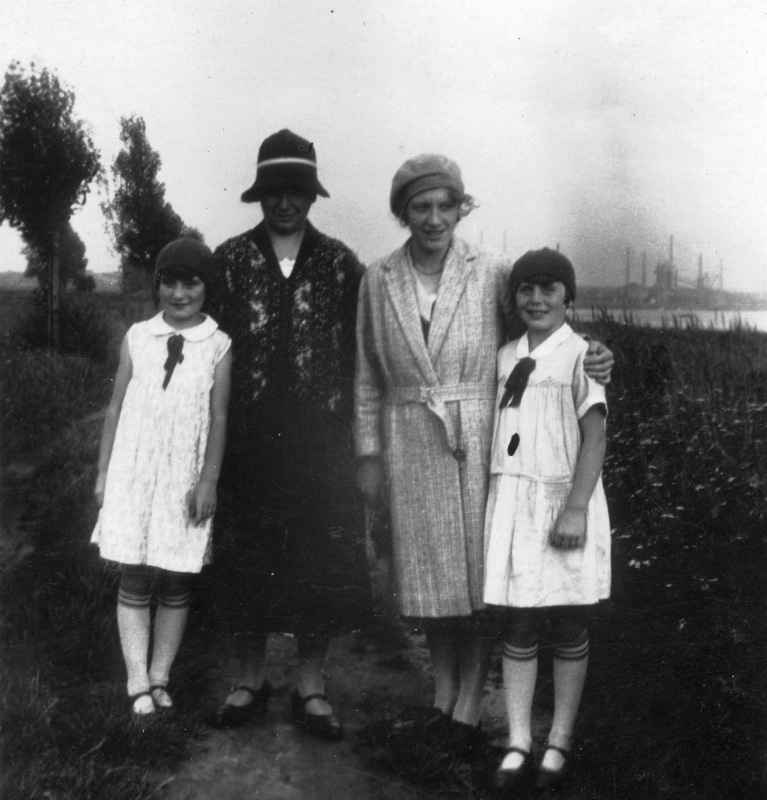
{"x": 139, "y": 219}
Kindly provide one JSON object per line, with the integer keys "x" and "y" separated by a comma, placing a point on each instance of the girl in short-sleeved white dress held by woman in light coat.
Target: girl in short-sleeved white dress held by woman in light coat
{"x": 547, "y": 530}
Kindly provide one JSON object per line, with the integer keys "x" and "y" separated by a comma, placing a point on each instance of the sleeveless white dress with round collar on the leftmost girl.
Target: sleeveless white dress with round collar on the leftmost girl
{"x": 159, "y": 451}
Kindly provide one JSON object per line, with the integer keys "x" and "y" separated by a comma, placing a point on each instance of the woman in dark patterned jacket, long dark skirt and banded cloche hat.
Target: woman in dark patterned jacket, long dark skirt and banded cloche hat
{"x": 289, "y": 523}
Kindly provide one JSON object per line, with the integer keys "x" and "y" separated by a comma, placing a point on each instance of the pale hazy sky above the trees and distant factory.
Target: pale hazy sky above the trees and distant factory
{"x": 589, "y": 124}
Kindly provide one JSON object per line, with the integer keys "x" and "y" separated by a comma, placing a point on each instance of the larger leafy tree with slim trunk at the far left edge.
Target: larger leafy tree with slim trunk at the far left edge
{"x": 47, "y": 163}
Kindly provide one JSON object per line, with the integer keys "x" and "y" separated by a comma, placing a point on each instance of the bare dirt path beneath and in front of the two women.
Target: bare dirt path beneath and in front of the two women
{"x": 271, "y": 758}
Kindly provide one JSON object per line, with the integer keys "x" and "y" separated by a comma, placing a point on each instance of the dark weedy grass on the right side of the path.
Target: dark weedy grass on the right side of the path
{"x": 676, "y": 696}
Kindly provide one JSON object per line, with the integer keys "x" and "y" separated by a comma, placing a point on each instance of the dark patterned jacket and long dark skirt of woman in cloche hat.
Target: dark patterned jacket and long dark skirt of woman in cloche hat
{"x": 289, "y": 542}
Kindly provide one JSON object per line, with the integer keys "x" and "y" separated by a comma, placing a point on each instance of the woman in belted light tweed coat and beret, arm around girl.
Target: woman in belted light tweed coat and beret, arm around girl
{"x": 430, "y": 320}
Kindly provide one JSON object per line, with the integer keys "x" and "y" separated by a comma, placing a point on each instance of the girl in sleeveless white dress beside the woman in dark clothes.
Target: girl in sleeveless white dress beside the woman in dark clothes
{"x": 159, "y": 463}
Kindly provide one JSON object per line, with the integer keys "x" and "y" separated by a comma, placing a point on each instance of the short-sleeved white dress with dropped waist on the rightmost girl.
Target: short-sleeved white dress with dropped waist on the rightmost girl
{"x": 529, "y": 489}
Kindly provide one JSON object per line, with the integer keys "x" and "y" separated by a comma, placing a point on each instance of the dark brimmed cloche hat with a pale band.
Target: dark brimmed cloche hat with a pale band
{"x": 285, "y": 159}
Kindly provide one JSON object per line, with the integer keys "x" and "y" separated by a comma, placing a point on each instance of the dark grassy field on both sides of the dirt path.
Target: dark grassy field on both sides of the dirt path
{"x": 676, "y": 695}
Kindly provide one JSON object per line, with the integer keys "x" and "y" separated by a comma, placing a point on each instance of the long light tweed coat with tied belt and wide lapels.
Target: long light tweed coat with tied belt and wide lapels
{"x": 427, "y": 409}
